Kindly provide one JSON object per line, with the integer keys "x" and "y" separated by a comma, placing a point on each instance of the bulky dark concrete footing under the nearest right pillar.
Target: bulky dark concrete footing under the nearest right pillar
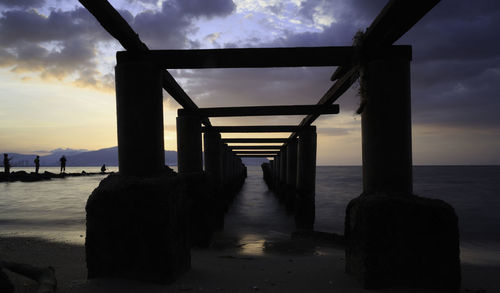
{"x": 402, "y": 241}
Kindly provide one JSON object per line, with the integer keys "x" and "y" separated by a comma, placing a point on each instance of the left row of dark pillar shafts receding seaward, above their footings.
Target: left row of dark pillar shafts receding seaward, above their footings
{"x": 139, "y": 101}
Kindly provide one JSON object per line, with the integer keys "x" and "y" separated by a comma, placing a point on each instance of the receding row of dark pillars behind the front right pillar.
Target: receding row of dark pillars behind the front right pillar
{"x": 293, "y": 176}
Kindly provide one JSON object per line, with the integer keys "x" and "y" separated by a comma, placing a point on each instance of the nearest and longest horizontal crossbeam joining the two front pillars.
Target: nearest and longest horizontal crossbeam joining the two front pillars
{"x": 244, "y": 57}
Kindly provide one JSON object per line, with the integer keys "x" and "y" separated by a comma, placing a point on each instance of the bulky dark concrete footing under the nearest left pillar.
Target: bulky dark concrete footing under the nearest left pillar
{"x": 138, "y": 228}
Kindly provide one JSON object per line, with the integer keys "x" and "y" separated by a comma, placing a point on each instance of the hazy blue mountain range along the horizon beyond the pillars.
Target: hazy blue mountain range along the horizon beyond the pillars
{"x": 108, "y": 156}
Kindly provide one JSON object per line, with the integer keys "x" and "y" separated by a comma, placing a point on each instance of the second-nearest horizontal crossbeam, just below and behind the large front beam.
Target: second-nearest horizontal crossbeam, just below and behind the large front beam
{"x": 263, "y": 110}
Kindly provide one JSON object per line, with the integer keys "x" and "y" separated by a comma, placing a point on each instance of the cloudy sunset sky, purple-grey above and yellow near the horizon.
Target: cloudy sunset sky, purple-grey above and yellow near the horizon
{"x": 57, "y": 72}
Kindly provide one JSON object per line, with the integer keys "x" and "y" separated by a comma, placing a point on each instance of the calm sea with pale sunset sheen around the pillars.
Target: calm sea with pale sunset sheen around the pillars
{"x": 55, "y": 209}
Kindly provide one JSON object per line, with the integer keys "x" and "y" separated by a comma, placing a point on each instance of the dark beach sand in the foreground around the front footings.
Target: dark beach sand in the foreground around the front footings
{"x": 290, "y": 266}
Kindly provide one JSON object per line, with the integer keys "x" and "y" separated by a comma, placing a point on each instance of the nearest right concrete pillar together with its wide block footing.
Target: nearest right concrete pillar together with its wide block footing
{"x": 395, "y": 238}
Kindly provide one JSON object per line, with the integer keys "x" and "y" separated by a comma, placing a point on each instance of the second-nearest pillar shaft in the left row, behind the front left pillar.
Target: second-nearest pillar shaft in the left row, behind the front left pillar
{"x": 189, "y": 157}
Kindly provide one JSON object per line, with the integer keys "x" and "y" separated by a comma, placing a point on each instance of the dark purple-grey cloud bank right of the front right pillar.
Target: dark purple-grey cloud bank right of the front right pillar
{"x": 456, "y": 65}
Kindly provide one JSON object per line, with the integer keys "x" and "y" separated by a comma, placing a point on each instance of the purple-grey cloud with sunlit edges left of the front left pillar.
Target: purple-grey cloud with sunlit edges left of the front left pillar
{"x": 55, "y": 46}
